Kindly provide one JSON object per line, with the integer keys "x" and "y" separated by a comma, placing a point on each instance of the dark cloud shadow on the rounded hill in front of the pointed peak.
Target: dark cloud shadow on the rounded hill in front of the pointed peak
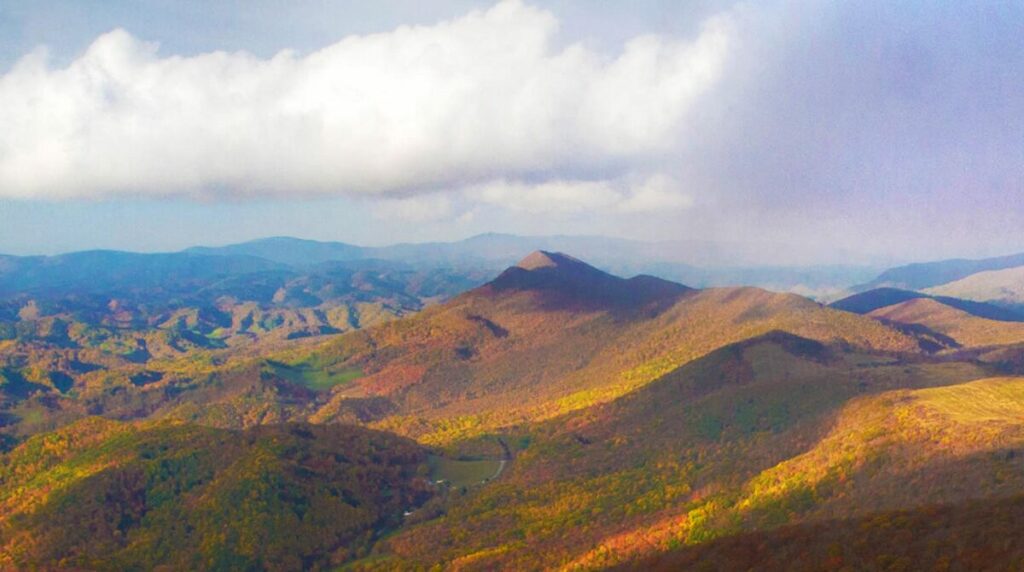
{"x": 715, "y": 406}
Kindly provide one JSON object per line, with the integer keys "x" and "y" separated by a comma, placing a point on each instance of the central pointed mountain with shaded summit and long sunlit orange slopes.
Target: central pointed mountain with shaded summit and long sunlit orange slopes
{"x": 546, "y": 337}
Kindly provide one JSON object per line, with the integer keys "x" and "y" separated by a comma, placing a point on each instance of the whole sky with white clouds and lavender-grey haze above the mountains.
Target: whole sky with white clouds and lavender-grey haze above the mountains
{"x": 830, "y": 133}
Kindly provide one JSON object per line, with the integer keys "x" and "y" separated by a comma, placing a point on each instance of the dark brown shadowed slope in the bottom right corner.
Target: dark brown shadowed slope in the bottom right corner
{"x": 974, "y": 536}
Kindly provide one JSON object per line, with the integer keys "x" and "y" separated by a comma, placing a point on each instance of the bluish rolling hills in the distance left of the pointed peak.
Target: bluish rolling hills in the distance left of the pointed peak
{"x": 65, "y": 319}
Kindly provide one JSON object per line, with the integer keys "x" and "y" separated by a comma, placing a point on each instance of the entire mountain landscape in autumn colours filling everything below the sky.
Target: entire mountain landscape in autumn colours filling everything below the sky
{"x": 552, "y": 416}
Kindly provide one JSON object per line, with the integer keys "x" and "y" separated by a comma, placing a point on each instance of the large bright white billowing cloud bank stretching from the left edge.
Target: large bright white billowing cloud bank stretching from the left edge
{"x": 483, "y": 98}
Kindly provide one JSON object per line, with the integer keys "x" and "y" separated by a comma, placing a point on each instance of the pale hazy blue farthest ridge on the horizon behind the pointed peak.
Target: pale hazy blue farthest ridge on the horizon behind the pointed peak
{"x": 699, "y": 263}
